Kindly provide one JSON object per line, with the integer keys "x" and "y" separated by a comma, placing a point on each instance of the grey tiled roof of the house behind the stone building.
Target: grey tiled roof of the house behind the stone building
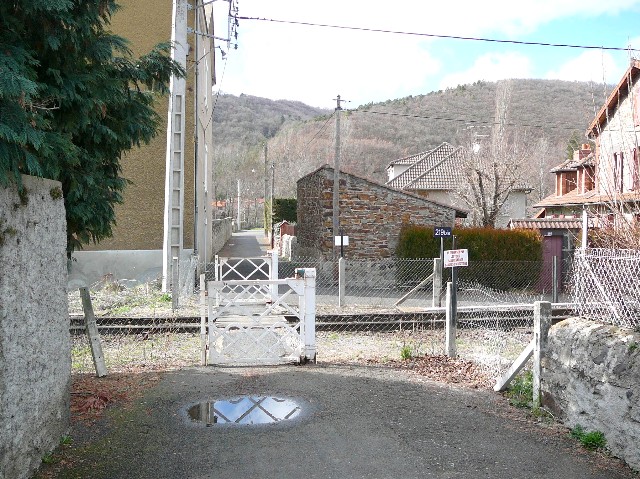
{"x": 434, "y": 169}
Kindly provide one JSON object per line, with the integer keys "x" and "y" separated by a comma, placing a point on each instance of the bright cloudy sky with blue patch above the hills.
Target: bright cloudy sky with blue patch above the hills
{"x": 314, "y": 64}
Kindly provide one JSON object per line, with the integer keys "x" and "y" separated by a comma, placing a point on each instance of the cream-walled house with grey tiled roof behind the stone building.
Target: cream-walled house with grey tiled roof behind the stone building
{"x": 437, "y": 174}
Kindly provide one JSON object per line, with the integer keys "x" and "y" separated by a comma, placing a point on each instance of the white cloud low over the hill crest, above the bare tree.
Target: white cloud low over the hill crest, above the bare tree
{"x": 491, "y": 67}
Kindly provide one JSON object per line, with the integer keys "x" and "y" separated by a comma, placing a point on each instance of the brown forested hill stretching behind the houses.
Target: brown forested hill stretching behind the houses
{"x": 548, "y": 113}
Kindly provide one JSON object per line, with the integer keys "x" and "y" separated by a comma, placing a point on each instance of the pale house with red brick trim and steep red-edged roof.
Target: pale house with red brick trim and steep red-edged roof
{"x": 604, "y": 182}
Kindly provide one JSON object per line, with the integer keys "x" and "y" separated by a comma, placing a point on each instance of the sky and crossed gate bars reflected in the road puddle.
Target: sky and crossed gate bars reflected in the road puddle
{"x": 246, "y": 410}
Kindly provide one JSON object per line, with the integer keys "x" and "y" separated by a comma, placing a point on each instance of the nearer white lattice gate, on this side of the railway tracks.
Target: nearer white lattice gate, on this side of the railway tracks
{"x": 262, "y": 321}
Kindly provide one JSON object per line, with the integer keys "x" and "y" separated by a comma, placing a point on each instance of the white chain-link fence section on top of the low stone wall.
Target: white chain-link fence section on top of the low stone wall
{"x": 606, "y": 286}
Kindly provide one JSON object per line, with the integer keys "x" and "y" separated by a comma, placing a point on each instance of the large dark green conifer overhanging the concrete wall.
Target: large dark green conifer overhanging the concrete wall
{"x": 73, "y": 101}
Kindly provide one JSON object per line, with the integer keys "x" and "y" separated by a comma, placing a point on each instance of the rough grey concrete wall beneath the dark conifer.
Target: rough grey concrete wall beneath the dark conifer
{"x": 35, "y": 358}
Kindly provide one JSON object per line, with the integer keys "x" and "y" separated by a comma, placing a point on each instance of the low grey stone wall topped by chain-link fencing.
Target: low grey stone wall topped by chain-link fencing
{"x": 591, "y": 377}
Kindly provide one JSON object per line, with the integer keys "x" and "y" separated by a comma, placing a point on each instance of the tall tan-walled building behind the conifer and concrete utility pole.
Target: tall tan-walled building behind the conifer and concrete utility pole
{"x": 135, "y": 250}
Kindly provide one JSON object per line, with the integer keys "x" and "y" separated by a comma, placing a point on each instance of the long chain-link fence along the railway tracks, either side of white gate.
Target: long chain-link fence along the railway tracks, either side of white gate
{"x": 388, "y": 308}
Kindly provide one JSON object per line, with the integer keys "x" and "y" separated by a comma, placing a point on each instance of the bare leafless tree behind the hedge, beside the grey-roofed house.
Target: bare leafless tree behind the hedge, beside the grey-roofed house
{"x": 495, "y": 166}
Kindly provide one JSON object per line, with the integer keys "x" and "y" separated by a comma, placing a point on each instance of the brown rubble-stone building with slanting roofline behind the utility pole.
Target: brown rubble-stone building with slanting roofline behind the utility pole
{"x": 370, "y": 214}
